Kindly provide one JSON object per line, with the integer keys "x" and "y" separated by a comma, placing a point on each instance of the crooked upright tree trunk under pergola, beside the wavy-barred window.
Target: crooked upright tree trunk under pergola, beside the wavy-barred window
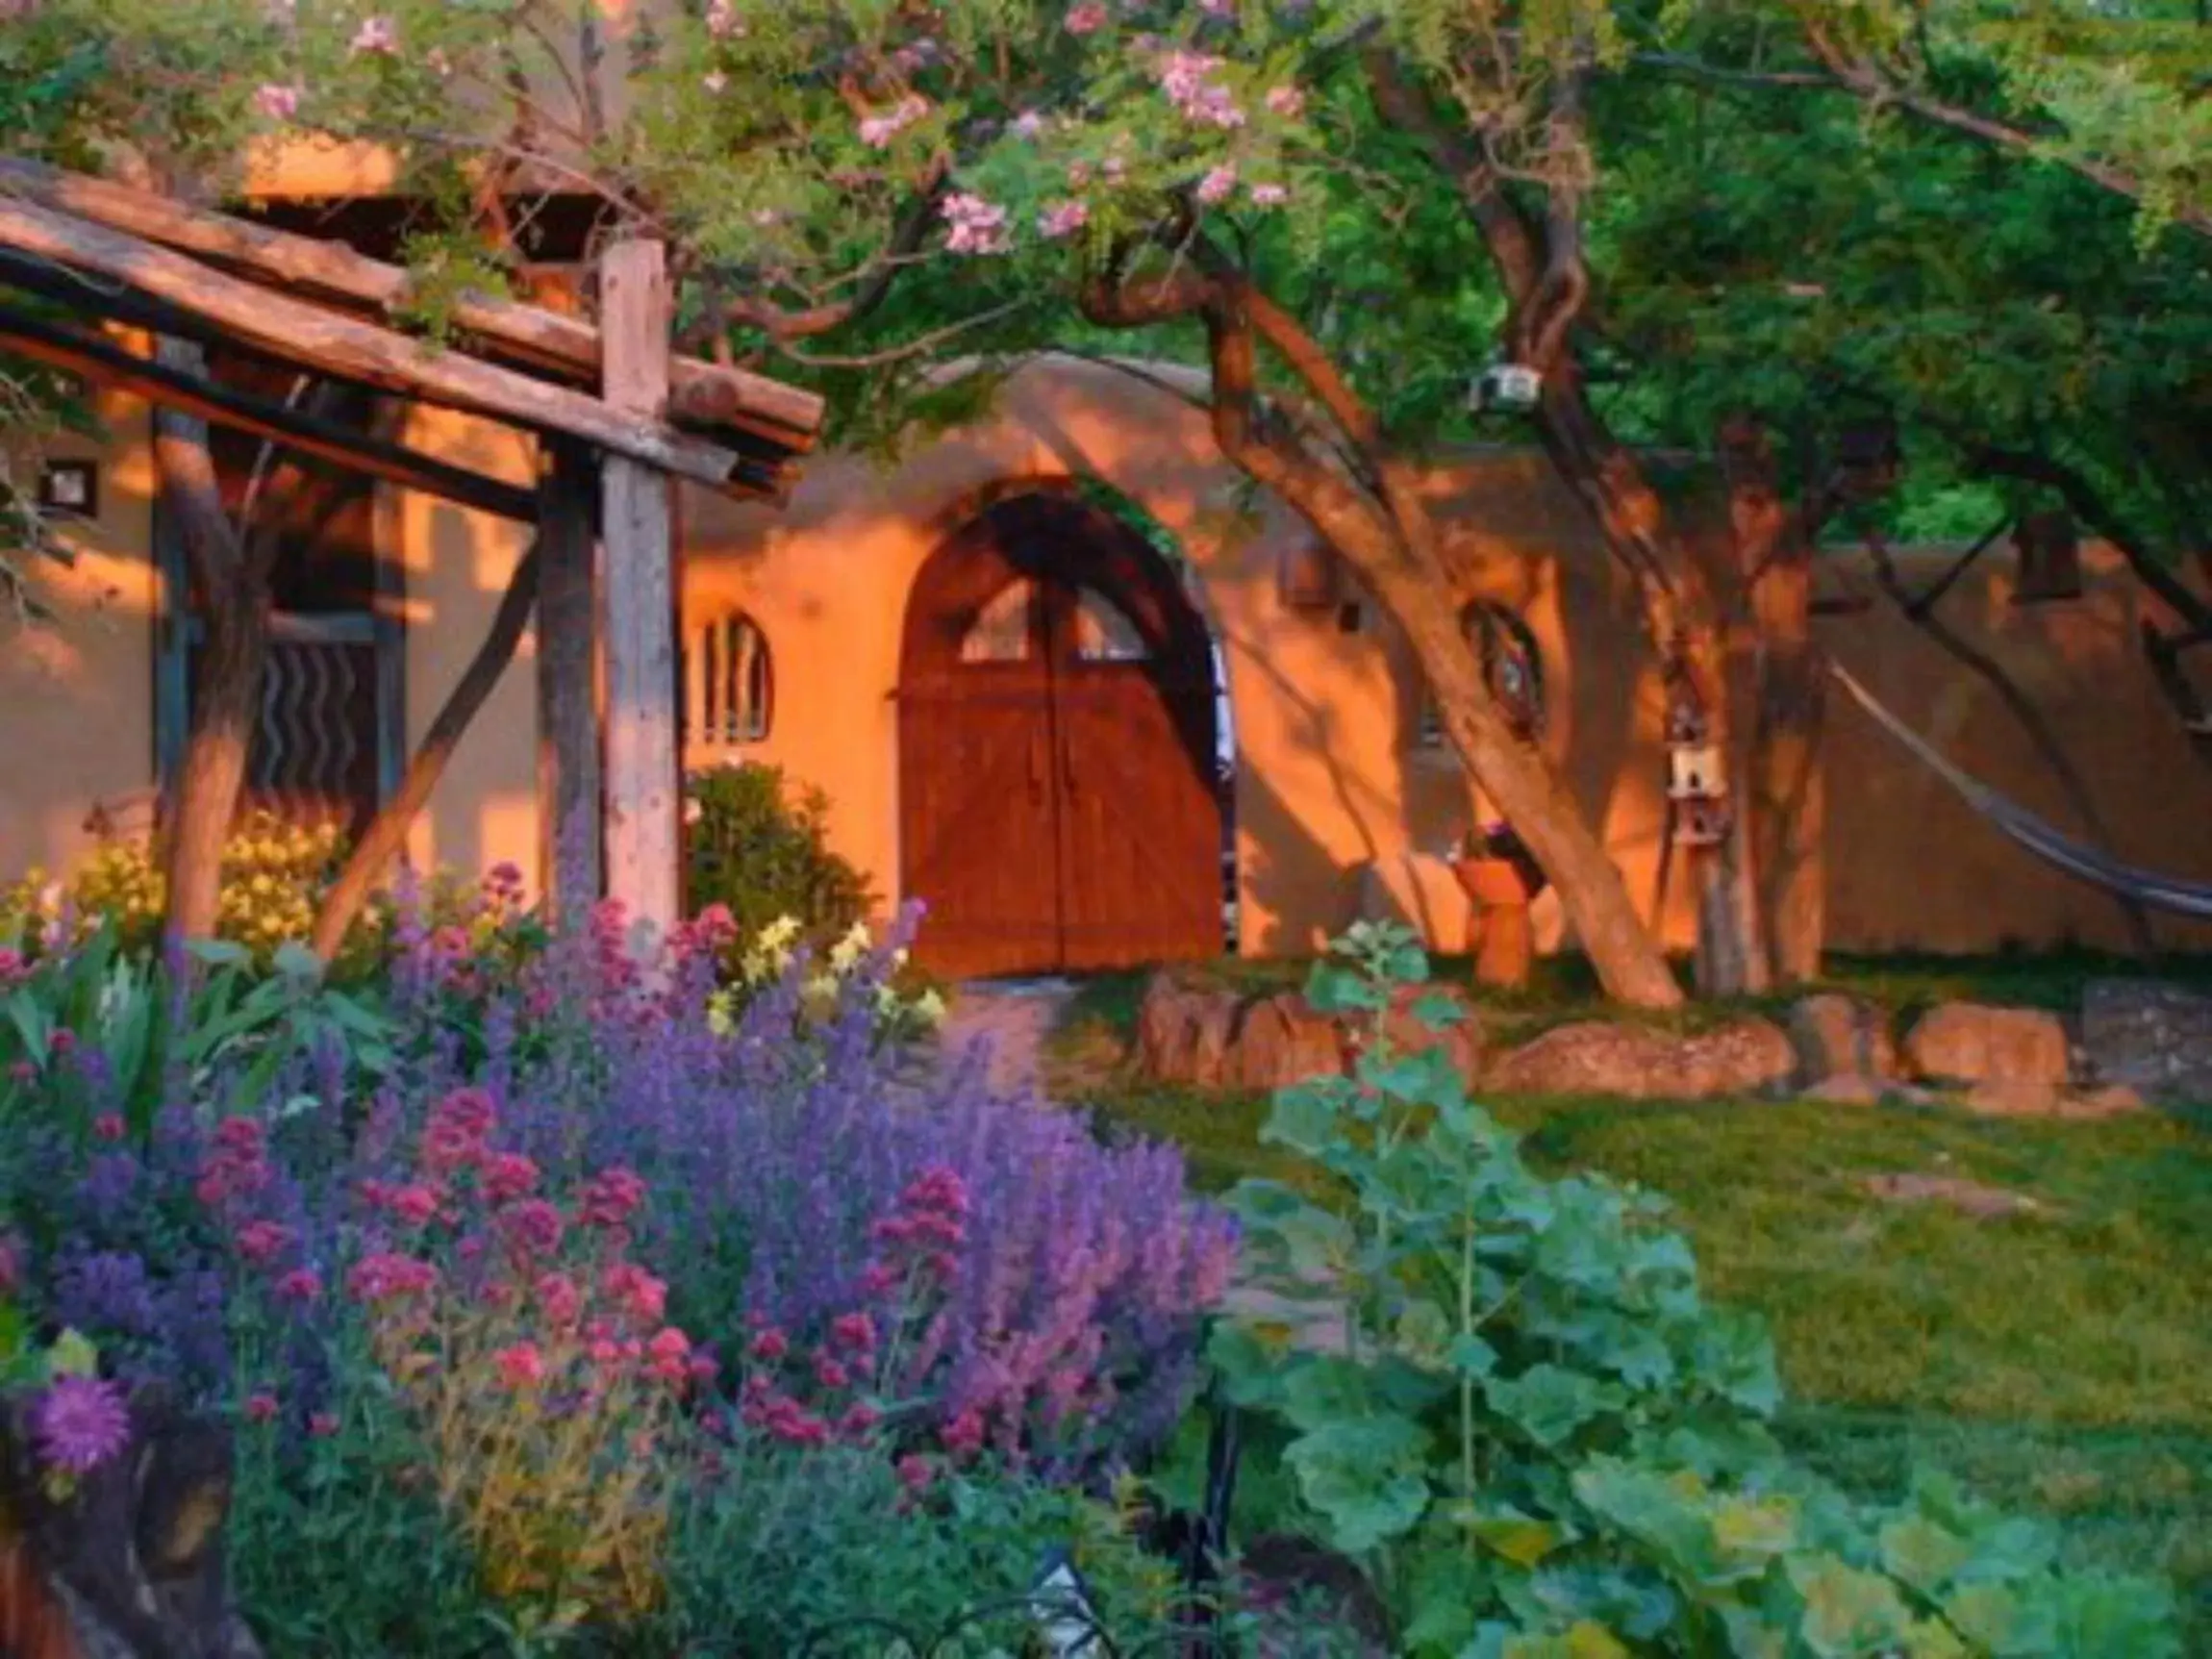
{"x": 236, "y": 603}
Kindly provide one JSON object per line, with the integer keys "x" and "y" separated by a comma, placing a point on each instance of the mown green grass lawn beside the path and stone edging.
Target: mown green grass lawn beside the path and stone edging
{"x": 2056, "y": 1361}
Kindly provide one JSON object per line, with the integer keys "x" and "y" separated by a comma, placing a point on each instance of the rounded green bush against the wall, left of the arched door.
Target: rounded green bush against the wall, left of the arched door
{"x": 760, "y": 846}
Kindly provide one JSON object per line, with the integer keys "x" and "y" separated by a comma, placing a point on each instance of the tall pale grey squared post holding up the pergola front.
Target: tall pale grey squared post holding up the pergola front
{"x": 643, "y": 793}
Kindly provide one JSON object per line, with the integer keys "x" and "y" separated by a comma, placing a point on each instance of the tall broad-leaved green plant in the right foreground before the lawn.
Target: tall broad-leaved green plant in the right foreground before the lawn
{"x": 1538, "y": 1437}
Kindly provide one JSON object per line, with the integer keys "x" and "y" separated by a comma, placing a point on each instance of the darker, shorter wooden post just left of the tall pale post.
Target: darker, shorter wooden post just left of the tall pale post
{"x": 570, "y": 857}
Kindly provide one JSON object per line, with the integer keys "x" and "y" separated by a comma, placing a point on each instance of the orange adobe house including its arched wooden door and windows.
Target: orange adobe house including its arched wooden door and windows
{"x": 1016, "y": 658}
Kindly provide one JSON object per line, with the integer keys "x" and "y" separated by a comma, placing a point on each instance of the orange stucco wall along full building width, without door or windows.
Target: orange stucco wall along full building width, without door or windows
{"x": 1333, "y": 789}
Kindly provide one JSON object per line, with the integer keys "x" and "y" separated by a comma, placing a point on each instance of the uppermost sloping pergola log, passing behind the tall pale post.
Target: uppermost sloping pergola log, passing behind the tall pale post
{"x": 700, "y": 393}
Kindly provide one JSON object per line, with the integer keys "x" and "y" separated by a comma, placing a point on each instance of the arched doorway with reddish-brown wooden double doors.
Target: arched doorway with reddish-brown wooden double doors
{"x": 1056, "y": 749}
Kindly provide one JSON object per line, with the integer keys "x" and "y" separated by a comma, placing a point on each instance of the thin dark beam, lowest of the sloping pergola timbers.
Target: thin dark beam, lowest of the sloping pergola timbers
{"x": 96, "y": 359}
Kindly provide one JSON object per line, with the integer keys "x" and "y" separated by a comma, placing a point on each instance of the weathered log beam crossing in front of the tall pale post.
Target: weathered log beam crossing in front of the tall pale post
{"x": 333, "y": 344}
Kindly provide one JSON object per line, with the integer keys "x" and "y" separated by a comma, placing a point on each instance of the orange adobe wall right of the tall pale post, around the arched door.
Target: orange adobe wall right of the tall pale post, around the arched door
{"x": 1328, "y": 773}
